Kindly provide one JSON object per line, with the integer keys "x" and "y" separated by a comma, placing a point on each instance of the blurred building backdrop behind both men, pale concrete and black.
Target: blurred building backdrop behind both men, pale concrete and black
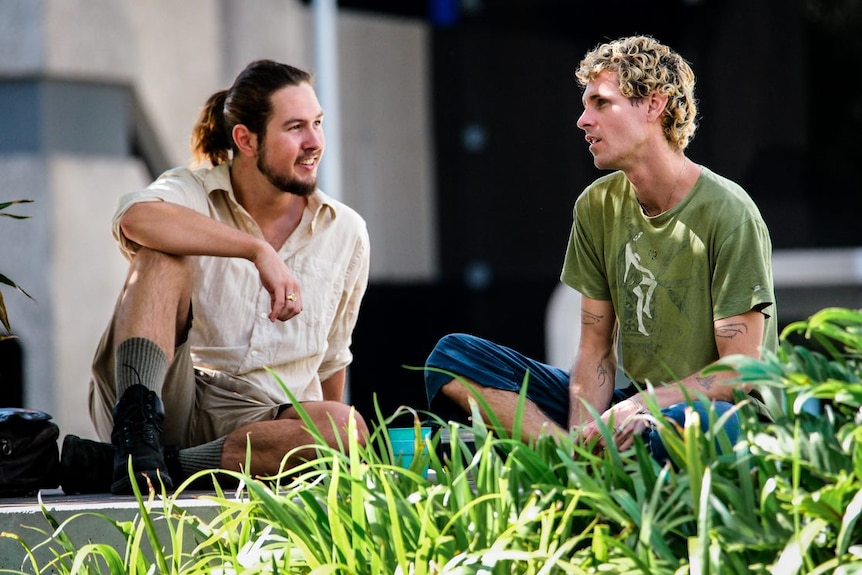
{"x": 458, "y": 145}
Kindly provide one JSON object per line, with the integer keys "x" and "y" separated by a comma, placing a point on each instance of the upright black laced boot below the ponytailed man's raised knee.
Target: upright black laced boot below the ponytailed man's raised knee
{"x": 138, "y": 423}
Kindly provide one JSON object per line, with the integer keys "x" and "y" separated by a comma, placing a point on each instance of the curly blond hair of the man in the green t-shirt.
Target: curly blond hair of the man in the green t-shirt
{"x": 646, "y": 66}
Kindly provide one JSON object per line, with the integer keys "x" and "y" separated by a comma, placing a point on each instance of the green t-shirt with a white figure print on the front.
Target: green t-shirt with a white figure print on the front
{"x": 671, "y": 276}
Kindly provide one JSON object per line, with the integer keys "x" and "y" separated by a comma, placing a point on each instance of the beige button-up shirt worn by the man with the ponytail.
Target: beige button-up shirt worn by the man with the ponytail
{"x": 329, "y": 255}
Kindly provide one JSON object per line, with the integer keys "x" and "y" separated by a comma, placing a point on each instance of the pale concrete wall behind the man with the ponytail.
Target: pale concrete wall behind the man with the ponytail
{"x": 98, "y": 75}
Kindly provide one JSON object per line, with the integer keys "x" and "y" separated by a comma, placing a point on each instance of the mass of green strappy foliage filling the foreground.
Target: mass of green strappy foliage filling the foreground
{"x": 785, "y": 500}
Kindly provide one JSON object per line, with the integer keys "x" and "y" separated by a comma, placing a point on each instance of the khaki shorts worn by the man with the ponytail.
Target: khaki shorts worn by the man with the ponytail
{"x": 200, "y": 405}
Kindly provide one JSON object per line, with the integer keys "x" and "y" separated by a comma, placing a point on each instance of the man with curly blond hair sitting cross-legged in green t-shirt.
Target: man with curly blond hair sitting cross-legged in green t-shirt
{"x": 671, "y": 260}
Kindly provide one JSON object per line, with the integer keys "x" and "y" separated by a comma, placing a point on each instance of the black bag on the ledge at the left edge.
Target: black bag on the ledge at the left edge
{"x": 29, "y": 456}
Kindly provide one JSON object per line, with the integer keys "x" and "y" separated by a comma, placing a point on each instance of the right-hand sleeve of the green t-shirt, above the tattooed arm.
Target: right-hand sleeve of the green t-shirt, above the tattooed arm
{"x": 743, "y": 272}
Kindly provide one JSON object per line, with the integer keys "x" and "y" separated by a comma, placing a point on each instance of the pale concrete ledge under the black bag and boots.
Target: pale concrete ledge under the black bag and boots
{"x": 91, "y": 518}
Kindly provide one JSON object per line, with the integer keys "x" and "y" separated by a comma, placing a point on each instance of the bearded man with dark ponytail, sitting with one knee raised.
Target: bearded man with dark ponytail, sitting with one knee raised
{"x": 238, "y": 267}
